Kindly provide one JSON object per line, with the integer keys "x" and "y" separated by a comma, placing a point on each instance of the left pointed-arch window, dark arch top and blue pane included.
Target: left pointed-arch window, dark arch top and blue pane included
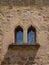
{"x": 18, "y": 35}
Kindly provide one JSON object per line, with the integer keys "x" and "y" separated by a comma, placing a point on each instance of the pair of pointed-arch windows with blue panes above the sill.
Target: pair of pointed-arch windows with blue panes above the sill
{"x": 31, "y": 36}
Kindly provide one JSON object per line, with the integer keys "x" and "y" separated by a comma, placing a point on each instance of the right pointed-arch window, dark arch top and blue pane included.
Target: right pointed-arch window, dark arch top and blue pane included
{"x": 31, "y": 35}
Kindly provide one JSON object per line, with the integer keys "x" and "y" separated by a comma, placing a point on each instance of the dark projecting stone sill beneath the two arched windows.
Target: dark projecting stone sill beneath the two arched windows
{"x": 24, "y": 47}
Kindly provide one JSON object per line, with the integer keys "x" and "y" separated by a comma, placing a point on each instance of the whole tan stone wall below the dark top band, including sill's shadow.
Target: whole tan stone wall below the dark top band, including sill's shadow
{"x": 12, "y": 16}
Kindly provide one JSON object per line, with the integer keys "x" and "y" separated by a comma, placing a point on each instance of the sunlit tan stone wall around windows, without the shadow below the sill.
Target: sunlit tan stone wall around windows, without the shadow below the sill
{"x": 25, "y": 16}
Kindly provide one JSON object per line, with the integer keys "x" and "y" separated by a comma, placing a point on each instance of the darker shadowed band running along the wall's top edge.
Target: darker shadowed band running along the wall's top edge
{"x": 24, "y": 2}
